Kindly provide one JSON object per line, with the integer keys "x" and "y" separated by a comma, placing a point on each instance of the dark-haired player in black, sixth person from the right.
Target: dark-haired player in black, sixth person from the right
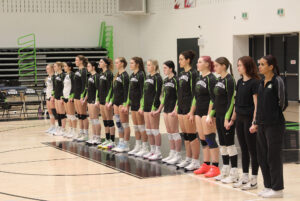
{"x": 168, "y": 102}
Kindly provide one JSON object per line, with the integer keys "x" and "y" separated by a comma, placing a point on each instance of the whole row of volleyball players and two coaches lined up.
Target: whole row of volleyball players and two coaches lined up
{"x": 198, "y": 102}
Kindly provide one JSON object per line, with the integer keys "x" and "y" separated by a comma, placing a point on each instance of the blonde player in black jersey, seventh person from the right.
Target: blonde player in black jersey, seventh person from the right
{"x": 150, "y": 103}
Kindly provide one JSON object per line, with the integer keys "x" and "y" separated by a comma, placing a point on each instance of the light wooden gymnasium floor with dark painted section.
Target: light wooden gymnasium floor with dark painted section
{"x": 36, "y": 166}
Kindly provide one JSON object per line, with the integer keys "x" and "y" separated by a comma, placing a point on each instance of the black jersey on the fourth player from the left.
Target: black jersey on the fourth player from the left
{"x": 80, "y": 80}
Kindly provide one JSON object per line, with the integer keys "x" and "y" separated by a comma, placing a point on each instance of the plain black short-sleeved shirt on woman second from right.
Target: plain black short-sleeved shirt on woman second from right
{"x": 245, "y": 90}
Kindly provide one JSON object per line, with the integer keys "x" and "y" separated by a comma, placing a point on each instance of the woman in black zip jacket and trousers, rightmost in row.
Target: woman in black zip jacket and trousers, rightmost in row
{"x": 270, "y": 123}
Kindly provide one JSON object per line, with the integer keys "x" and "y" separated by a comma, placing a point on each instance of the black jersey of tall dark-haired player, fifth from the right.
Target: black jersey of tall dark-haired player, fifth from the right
{"x": 186, "y": 89}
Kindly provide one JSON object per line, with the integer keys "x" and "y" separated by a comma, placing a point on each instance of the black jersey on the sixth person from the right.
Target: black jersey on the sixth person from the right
{"x": 169, "y": 98}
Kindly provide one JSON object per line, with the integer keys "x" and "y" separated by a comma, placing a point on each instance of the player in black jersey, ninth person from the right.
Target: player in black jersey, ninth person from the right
{"x": 120, "y": 94}
